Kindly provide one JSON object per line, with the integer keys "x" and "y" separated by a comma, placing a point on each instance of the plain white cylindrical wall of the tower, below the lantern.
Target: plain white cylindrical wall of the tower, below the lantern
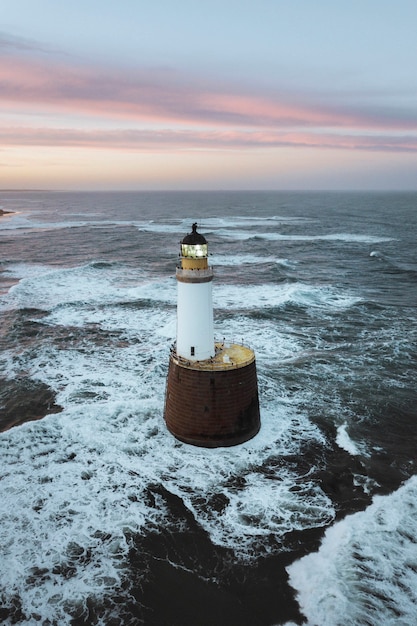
{"x": 195, "y": 333}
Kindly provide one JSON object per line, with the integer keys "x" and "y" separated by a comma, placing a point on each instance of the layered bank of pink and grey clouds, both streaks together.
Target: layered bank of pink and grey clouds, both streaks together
{"x": 145, "y": 108}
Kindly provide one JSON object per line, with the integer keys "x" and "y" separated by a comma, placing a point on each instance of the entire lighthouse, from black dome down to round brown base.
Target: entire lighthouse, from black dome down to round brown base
{"x": 211, "y": 397}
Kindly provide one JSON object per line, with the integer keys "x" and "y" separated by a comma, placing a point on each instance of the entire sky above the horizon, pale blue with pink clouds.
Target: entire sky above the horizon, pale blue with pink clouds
{"x": 208, "y": 94}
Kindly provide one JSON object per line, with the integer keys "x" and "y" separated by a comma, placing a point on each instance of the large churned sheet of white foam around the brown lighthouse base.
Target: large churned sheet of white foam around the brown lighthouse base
{"x": 86, "y": 470}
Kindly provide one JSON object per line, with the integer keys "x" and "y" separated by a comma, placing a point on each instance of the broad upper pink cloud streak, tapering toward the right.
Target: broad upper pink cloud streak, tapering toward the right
{"x": 164, "y": 96}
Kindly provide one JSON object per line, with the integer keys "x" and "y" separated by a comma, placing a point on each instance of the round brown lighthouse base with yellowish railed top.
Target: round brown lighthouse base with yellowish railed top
{"x": 213, "y": 402}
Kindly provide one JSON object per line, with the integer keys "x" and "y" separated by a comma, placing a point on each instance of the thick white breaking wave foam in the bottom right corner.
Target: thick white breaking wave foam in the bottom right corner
{"x": 365, "y": 571}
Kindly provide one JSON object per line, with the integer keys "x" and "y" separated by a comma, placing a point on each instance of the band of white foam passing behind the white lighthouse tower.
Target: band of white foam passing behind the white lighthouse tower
{"x": 48, "y": 288}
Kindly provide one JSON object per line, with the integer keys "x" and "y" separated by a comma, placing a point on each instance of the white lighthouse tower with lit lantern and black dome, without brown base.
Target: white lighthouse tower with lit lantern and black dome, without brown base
{"x": 195, "y": 335}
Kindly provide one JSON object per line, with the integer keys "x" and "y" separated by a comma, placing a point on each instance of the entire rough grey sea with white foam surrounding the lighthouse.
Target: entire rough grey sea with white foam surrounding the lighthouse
{"x": 105, "y": 517}
